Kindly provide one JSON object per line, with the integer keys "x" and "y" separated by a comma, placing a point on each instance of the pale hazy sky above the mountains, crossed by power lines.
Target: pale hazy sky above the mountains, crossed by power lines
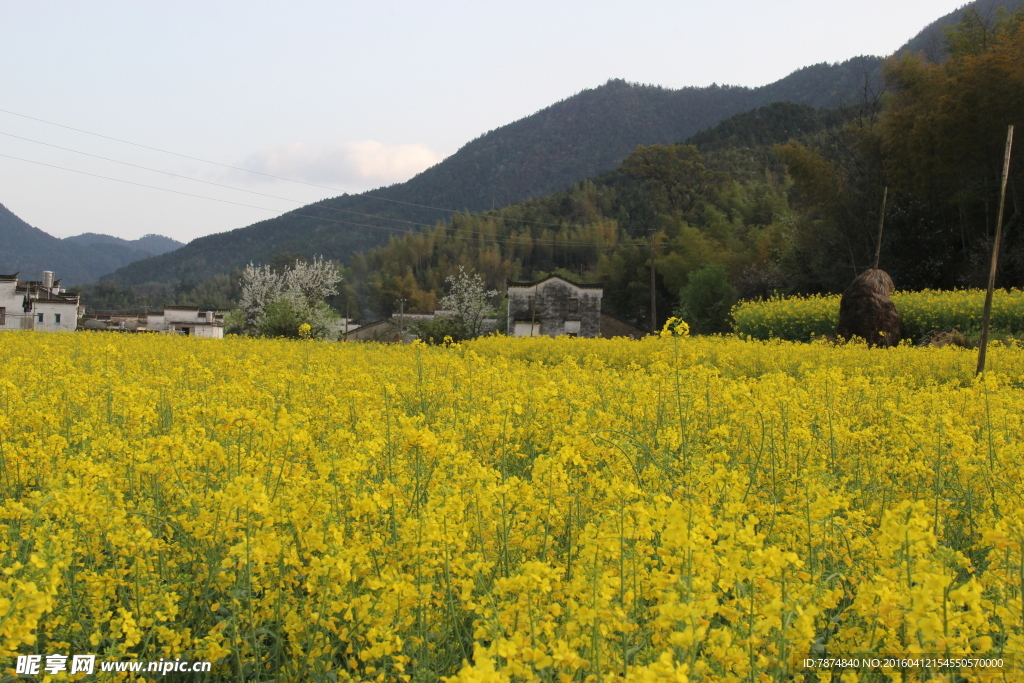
{"x": 350, "y": 96}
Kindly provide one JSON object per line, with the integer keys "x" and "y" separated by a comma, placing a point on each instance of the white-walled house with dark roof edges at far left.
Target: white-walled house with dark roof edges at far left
{"x": 45, "y": 306}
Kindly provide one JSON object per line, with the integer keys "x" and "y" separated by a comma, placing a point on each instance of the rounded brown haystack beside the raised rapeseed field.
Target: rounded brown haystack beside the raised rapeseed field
{"x": 867, "y": 312}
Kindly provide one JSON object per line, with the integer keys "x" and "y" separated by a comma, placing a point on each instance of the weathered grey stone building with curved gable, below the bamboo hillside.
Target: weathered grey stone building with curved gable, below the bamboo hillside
{"x": 554, "y": 307}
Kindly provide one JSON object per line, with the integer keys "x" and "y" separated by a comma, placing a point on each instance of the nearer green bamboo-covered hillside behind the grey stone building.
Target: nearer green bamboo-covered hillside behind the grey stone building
{"x": 730, "y": 207}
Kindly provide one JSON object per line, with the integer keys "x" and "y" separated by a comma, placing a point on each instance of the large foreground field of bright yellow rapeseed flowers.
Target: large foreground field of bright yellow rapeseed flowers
{"x": 508, "y": 510}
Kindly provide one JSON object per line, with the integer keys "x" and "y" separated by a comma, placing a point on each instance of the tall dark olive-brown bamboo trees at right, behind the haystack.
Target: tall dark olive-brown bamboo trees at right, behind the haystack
{"x": 938, "y": 144}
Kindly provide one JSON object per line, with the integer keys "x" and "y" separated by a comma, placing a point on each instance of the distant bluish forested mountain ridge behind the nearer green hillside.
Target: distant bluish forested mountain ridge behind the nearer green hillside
{"x": 579, "y": 138}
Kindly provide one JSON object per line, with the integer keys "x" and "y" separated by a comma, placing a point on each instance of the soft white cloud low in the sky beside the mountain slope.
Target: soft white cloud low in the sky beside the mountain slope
{"x": 349, "y": 165}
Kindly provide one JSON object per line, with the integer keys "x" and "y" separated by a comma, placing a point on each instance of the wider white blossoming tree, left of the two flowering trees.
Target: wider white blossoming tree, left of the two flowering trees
{"x": 277, "y": 304}
